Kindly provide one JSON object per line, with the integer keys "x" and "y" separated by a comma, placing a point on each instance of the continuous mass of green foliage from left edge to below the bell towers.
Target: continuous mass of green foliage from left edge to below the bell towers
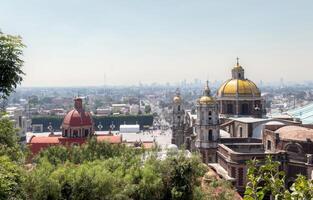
{"x": 96, "y": 170}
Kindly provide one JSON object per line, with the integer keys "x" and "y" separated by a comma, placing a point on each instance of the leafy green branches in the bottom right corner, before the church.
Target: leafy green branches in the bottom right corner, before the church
{"x": 266, "y": 180}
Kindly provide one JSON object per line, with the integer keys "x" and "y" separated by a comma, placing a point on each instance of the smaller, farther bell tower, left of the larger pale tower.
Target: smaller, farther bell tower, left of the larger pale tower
{"x": 178, "y": 120}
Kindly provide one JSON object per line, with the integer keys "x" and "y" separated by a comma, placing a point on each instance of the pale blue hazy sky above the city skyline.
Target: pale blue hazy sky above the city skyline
{"x": 78, "y": 43}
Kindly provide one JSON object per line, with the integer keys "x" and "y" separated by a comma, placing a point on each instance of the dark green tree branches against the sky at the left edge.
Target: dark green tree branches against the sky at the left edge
{"x": 11, "y": 51}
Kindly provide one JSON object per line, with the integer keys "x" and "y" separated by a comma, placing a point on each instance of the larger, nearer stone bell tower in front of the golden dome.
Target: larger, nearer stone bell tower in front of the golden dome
{"x": 207, "y": 126}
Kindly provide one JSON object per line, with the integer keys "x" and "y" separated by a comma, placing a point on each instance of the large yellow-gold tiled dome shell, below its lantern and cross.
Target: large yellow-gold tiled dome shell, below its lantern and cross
{"x": 242, "y": 87}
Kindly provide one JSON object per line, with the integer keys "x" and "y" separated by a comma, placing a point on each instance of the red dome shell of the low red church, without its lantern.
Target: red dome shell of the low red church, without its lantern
{"x": 76, "y": 118}
